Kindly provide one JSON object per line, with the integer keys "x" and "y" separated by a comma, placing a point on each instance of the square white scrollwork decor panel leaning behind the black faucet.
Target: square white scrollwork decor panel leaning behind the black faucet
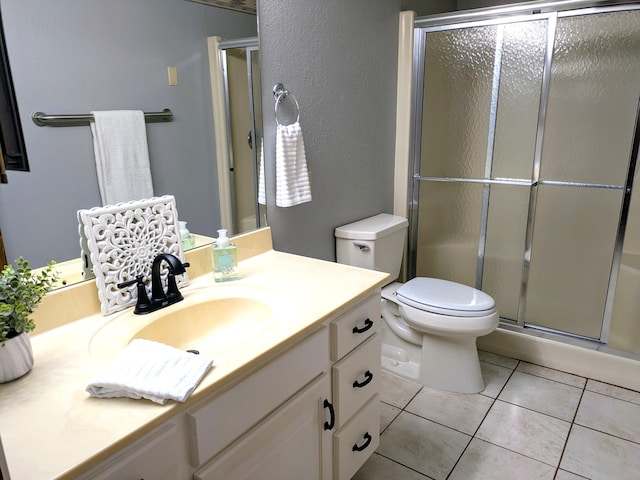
{"x": 123, "y": 240}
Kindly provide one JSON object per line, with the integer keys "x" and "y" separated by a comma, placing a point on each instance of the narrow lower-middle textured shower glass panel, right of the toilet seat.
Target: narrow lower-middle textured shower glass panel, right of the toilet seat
{"x": 504, "y": 248}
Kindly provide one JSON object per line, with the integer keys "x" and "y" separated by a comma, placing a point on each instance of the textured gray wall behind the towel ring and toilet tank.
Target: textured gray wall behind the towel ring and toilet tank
{"x": 339, "y": 58}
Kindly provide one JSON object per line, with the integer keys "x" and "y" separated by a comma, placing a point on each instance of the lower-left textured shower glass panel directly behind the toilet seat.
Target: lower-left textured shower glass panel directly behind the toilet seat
{"x": 448, "y": 230}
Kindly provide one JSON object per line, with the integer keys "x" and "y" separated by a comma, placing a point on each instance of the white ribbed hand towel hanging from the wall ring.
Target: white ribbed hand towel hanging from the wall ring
{"x": 292, "y": 177}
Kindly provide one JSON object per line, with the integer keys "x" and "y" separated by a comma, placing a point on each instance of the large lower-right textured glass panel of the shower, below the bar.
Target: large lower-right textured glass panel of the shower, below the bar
{"x": 573, "y": 240}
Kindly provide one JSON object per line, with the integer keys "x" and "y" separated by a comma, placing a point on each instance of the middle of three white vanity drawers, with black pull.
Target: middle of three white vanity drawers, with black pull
{"x": 356, "y": 378}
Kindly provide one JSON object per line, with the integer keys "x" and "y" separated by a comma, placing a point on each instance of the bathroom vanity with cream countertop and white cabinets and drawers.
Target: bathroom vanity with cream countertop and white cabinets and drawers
{"x": 297, "y": 399}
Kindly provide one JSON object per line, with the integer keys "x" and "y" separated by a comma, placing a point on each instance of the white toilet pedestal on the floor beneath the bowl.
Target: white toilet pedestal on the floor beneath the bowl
{"x": 451, "y": 364}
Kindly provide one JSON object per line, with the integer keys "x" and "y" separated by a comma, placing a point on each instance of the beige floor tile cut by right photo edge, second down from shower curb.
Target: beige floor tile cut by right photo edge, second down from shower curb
{"x": 610, "y": 415}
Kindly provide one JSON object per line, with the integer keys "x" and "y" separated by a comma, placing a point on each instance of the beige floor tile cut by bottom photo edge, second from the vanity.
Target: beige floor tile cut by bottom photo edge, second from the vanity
{"x": 483, "y": 461}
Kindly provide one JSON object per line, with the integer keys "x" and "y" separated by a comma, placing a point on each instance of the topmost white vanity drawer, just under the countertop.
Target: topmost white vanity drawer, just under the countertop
{"x": 354, "y": 326}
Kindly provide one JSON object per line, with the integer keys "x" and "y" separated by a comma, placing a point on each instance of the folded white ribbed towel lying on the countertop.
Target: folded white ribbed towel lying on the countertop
{"x": 151, "y": 370}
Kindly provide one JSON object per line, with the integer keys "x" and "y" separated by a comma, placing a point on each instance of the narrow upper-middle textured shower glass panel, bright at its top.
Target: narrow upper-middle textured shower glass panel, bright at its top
{"x": 519, "y": 99}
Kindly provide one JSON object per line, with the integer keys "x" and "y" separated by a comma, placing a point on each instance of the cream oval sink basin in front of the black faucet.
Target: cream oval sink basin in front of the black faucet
{"x": 209, "y": 320}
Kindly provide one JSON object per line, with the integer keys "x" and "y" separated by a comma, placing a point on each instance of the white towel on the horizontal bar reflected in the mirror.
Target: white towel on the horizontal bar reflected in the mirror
{"x": 122, "y": 156}
